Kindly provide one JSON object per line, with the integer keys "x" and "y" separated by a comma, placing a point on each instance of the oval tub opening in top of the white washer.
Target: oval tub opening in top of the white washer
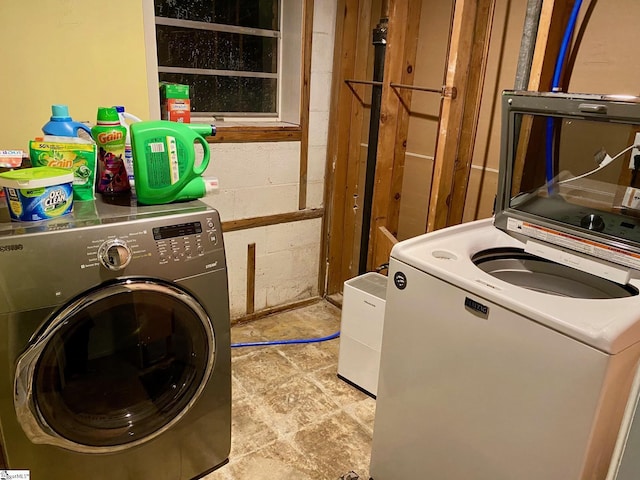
{"x": 517, "y": 267}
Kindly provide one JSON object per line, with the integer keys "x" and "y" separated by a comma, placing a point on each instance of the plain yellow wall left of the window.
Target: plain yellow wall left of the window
{"x": 82, "y": 53}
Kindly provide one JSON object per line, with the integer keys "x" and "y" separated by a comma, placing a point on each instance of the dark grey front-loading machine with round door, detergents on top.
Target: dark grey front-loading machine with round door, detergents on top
{"x": 114, "y": 343}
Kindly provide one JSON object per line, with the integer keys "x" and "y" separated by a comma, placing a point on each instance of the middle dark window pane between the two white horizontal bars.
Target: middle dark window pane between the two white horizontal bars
{"x": 190, "y": 48}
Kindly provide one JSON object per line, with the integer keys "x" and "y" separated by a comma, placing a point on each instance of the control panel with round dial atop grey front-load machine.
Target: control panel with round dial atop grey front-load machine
{"x": 56, "y": 261}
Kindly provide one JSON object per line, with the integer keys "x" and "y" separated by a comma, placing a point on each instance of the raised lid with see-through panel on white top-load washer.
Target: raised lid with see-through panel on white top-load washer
{"x": 568, "y": 174}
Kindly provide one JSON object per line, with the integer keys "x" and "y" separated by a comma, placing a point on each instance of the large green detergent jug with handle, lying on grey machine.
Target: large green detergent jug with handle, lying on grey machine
{"x": 164, "y": 161}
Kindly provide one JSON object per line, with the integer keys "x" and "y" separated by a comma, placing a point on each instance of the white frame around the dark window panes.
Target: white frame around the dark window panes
{"x": 290, "y": 67}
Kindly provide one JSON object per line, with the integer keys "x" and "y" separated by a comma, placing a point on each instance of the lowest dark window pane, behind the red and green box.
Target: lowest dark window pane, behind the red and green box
{"x": 218, "y": 94}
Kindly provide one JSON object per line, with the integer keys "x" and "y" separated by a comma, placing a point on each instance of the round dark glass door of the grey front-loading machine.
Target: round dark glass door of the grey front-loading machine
{"x": 114, "y": 368}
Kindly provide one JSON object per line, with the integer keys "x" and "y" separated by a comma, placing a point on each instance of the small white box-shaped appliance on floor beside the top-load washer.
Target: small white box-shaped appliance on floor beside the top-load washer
{"x": 362, "y": 319}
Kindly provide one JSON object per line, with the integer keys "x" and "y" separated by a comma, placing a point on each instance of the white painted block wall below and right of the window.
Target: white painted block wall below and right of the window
{"x": 258, "y": 179}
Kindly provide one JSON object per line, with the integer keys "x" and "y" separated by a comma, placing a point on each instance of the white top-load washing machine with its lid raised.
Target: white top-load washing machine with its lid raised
{"x": 510, "y": 344}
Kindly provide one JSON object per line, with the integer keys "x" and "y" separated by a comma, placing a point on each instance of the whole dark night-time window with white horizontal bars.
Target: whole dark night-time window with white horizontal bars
{"x": 237, "y": 56}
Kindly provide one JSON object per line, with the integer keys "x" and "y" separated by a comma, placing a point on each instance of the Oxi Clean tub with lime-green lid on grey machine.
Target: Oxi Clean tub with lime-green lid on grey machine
{"x": 39, "y": 193}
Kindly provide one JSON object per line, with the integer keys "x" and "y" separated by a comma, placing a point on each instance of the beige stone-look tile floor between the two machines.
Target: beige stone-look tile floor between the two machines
{"x": 292, "y": 416}
